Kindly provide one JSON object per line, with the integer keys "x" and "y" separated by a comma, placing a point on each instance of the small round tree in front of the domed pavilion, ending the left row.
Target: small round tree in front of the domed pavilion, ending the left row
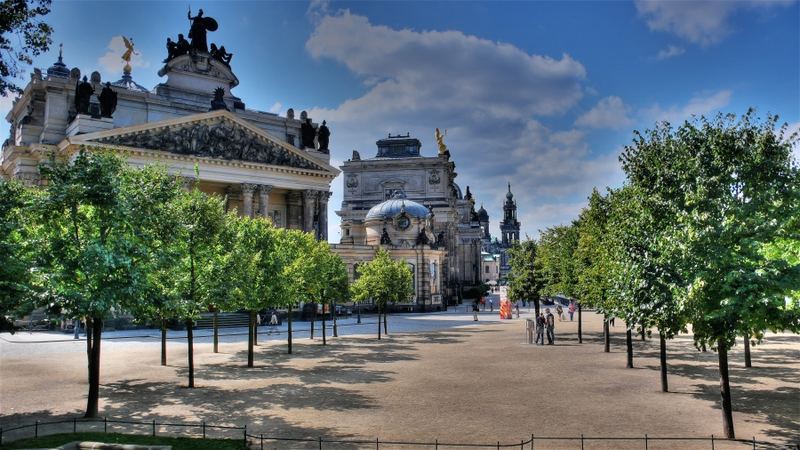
{"x": 385, "y": 281}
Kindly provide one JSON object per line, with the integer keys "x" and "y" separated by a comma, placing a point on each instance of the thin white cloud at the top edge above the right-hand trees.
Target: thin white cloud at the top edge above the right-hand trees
{"x": 703, "y": 22}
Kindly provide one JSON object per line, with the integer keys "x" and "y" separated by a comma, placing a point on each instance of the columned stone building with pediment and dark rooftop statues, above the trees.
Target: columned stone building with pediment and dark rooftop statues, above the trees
{"x": 265, "y": 164}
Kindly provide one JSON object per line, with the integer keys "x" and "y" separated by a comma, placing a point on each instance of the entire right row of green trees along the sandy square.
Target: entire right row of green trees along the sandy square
{"x": 704, "y": 233}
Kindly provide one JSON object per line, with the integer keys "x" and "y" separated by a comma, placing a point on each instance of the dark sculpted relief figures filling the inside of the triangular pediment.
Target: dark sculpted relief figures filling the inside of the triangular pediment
{"x": 215, "y": 140}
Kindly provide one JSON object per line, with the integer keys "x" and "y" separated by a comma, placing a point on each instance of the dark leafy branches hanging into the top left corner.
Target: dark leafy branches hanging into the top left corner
{"x": 23, "y": 35}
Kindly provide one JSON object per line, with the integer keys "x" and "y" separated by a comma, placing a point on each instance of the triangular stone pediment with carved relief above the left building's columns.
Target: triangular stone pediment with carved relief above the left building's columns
{"x": 216, "y": 134}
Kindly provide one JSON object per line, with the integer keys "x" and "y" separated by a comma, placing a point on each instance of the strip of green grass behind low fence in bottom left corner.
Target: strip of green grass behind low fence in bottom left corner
{"x": 55, "y": 440}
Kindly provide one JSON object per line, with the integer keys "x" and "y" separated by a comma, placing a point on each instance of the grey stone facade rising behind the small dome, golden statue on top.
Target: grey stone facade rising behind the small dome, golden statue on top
{"x": 399, "y": 167}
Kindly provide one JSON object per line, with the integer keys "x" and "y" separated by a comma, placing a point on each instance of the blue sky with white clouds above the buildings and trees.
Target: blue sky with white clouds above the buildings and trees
{"x": 542, "y": 94}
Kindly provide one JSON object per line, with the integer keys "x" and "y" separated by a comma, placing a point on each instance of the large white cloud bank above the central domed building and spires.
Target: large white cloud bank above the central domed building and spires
{"x": 488, "y": 95}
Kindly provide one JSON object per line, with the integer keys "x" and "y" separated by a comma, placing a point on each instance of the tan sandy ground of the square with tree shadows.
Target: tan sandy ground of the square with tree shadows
{"x": 460, "y": 383}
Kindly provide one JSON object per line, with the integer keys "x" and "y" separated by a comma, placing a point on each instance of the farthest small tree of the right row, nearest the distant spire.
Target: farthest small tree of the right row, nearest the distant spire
{"x": 524, "y": 279}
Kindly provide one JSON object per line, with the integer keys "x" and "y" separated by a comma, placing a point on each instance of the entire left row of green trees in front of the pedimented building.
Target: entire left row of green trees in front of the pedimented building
{"x": 102, "y": 237}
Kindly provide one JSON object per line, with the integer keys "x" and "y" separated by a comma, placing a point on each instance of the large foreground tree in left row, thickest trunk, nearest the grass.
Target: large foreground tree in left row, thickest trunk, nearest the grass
{"x": 91, "y": 258}
